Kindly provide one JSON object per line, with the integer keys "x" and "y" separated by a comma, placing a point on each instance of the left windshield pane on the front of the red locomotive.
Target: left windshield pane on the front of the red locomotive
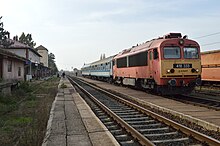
{"x": 171, "y": 52}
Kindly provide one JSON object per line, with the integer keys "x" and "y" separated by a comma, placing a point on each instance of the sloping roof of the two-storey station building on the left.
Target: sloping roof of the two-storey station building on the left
{"x": 18, "y": 45}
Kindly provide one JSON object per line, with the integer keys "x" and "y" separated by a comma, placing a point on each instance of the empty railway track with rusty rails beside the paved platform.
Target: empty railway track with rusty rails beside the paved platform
{"x": 134, "y": 125}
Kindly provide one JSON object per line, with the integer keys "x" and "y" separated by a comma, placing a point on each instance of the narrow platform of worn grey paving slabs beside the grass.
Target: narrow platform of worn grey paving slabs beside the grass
{"x": 72, "y": 122}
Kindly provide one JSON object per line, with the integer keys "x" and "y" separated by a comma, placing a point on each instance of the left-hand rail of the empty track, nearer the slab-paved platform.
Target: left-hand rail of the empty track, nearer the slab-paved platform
{"x": 141, "y": 139}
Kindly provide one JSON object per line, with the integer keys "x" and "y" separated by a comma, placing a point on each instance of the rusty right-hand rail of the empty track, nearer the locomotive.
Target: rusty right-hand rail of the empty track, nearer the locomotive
{"x": 190, "y": 132}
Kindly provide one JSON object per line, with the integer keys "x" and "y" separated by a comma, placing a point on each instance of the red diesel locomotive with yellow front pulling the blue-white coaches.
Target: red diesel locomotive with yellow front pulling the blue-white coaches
{"x": 169, "y": 65}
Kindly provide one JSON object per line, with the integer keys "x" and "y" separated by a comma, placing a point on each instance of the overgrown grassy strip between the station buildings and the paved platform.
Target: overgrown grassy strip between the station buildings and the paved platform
{"x": 24, "y": 114}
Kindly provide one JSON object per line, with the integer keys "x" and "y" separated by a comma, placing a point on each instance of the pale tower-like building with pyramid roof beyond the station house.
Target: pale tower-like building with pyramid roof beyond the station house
{"x": 44, "y": 53}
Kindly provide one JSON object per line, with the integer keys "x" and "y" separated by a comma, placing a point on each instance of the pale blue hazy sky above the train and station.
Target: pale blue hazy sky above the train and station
{"x": 79, "y": 31}
